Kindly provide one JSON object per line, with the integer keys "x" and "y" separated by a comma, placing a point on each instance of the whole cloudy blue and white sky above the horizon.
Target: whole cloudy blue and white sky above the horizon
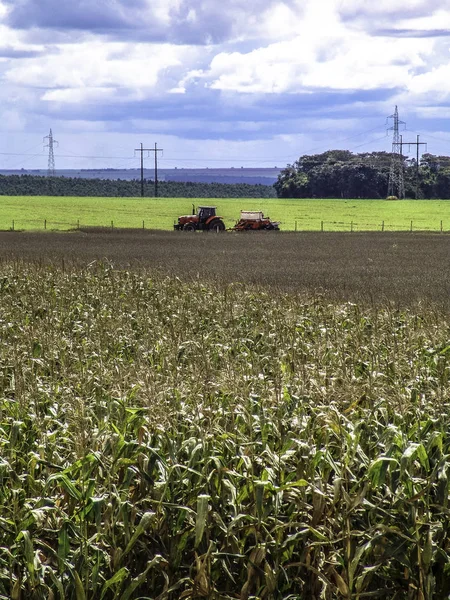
{"x": 253, "y": 83}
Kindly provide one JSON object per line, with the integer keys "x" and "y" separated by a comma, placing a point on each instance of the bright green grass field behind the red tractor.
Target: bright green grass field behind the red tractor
{"x": 61, "y": 213}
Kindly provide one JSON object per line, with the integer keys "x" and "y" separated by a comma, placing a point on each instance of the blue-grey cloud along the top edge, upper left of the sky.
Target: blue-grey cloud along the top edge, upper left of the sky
{"x": 192, "y": 22}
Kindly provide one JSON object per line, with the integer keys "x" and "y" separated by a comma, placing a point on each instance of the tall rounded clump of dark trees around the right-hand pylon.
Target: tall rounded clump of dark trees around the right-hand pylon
{"x": 342, "y": 174}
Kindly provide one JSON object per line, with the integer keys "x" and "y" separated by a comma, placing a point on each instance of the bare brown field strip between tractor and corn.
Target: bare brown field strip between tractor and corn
{"x": 376, "y": 267}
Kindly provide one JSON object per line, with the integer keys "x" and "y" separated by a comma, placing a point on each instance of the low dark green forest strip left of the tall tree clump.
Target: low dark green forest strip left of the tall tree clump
{"x": 33, "y": 185}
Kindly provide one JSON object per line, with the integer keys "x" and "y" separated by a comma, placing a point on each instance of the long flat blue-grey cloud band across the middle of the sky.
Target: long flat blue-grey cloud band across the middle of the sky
{"x": 207, "y": 116}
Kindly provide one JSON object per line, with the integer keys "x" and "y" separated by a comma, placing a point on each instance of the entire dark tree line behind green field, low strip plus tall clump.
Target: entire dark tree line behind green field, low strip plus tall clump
{"x": 332, "y": 174}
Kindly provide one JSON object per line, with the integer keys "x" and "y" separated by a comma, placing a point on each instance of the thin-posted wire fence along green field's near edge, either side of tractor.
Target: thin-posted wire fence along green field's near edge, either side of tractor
{"x": 298, "y": 225}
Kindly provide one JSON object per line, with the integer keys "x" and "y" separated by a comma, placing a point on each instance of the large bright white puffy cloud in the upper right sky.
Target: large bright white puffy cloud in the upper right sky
{"x": 344, "y": 60}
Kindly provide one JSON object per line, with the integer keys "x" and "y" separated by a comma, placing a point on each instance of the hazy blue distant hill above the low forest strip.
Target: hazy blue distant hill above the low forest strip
{"x": 263, "y": 176}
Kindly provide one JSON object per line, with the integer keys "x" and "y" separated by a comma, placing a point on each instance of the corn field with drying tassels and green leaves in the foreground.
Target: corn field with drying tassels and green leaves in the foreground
{"x": 163, "y": 439}
